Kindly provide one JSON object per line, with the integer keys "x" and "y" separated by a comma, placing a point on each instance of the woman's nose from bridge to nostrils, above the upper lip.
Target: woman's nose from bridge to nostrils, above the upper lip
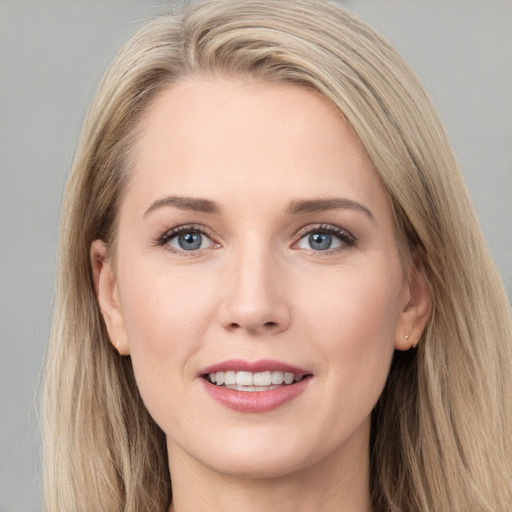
{"x": 254, "y": 296}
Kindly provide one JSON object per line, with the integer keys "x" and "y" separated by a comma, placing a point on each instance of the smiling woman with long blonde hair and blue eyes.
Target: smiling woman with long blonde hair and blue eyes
{"x": 273, "y": 286}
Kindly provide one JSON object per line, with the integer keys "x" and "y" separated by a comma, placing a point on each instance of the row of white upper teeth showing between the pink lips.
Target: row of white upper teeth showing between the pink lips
{"x": 248, "y": 381}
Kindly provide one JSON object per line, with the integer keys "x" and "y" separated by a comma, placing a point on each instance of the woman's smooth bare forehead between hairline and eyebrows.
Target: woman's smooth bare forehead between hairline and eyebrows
{"x": 228, "y": 138}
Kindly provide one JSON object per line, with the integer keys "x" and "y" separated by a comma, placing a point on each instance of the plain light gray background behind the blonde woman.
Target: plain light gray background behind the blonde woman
{"x": 52, "y": 54}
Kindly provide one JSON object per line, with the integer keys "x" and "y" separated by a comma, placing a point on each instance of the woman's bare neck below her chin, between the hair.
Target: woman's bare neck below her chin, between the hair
{"x": 338, "y": 482}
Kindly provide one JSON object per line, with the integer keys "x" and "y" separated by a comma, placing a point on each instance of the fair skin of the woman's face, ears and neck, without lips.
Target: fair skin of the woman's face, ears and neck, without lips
{"x": 257, "y": 289}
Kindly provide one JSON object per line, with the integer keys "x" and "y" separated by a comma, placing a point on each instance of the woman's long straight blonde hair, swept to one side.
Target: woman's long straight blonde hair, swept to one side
{"x": 441, "y": 430}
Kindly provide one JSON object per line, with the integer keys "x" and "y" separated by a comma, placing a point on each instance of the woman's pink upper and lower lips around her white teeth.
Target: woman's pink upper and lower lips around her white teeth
{"x": 255, "y": 401}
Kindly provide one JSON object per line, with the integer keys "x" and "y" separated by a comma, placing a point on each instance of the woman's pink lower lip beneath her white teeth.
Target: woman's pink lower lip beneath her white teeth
{"x": 255, "y": 401}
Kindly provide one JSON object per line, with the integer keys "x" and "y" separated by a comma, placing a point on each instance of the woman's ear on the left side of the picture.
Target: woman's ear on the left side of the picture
{"x": 107, "y": 291}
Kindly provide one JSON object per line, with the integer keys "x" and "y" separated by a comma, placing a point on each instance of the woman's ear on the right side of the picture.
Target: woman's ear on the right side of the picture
{"x": 417, "y": 306}
